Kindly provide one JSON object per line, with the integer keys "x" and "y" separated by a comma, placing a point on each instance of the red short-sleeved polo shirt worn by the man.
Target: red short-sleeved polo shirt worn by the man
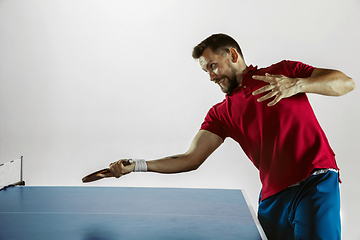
{"x": 285, "y": 142}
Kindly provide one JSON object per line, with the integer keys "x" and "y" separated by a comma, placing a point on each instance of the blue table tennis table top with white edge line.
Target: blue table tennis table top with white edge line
{"x": 109, "y": 213}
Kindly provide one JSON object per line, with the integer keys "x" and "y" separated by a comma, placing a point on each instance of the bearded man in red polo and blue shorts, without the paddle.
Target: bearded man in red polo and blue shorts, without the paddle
{"x": 267, "y": 112}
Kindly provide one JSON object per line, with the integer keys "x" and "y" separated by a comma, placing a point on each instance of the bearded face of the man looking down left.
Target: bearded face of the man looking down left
{"x": 220, "y": 69}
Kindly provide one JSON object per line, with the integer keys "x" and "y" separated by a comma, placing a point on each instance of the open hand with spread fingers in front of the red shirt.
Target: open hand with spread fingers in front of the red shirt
{"x": 279, "y": 86}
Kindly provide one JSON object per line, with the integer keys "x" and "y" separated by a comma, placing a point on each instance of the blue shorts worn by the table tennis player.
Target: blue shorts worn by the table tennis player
{"x": 310, "y": 210}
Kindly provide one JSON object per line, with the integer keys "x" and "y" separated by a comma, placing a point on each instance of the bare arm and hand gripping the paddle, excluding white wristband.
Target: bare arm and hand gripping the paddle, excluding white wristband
{"x": 200, "y": 149}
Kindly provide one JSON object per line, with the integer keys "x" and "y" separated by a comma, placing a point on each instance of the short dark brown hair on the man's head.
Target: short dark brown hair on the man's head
{"x": 216, "y": 42}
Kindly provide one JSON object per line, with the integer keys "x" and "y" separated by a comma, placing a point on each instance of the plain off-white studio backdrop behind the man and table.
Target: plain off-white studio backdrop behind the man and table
{"x": 85, "y": 83}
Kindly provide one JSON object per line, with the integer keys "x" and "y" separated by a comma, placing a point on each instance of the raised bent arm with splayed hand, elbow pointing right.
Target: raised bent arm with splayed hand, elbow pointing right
{"x": 322, "y": 81}
